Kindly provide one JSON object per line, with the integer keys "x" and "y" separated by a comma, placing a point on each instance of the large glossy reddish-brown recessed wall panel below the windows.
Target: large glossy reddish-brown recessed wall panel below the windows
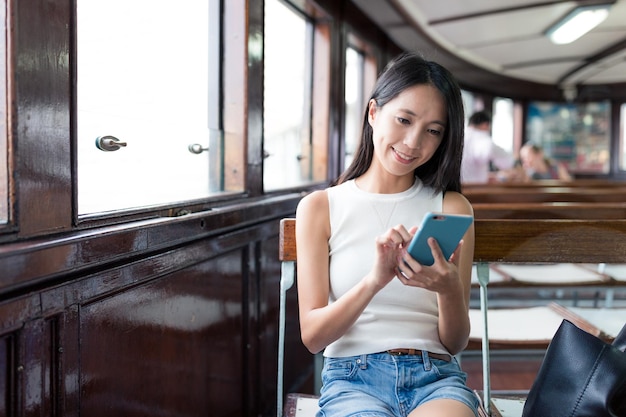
{"x": 170, "y": 347}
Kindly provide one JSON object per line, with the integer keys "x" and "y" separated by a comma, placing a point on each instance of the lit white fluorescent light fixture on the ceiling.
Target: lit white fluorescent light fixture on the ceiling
{"x": 580, "y": 21}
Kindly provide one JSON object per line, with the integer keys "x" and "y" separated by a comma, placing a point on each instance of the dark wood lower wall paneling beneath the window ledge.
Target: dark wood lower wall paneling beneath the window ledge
{"x": 189, "y": 330}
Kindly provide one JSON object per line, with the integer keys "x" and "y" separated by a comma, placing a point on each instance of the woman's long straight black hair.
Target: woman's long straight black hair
{"x": 443, "y": 171}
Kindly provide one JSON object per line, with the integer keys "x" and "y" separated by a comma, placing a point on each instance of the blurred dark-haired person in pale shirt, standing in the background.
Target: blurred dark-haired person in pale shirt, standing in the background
{"x": 480, "y": 152}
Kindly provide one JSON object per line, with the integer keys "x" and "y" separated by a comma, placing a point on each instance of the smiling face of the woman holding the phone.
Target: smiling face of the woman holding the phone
{"x": 408, "y": 129}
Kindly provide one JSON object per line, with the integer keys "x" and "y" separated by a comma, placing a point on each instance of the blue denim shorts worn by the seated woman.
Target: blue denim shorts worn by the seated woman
{"x": 381, "y": 385}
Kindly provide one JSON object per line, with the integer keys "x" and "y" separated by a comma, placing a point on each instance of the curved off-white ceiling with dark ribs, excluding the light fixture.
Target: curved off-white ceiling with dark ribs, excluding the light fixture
{"x": 507, "y": 38}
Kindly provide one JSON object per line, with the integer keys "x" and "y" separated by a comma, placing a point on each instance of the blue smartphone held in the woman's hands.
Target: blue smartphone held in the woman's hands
{"x": 447, "y": 229}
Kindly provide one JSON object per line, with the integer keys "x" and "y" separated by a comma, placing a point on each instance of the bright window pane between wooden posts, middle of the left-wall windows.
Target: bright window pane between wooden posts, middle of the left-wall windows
{"x": 287, "y": 98}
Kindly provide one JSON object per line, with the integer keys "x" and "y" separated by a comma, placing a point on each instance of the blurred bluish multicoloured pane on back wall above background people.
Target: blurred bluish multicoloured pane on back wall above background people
{"x": 575, "y": 134}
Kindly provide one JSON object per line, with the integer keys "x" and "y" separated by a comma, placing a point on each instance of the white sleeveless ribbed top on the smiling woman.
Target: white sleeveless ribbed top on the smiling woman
{"x": 398, "y": 316}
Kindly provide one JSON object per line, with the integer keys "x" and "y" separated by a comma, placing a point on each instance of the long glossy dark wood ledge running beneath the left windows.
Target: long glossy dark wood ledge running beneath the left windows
{"x": 38, "y": 261}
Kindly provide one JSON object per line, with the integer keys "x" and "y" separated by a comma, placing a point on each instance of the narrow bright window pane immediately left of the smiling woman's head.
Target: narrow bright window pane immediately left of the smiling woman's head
{"x": 354, "y": 102}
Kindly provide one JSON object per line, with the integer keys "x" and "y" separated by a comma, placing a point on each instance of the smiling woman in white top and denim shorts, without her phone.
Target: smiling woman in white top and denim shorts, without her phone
{"x": 388, "y": 325}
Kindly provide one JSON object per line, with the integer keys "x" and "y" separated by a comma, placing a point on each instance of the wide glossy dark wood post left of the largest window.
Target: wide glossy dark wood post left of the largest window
{"x": 42, "y": 91}
